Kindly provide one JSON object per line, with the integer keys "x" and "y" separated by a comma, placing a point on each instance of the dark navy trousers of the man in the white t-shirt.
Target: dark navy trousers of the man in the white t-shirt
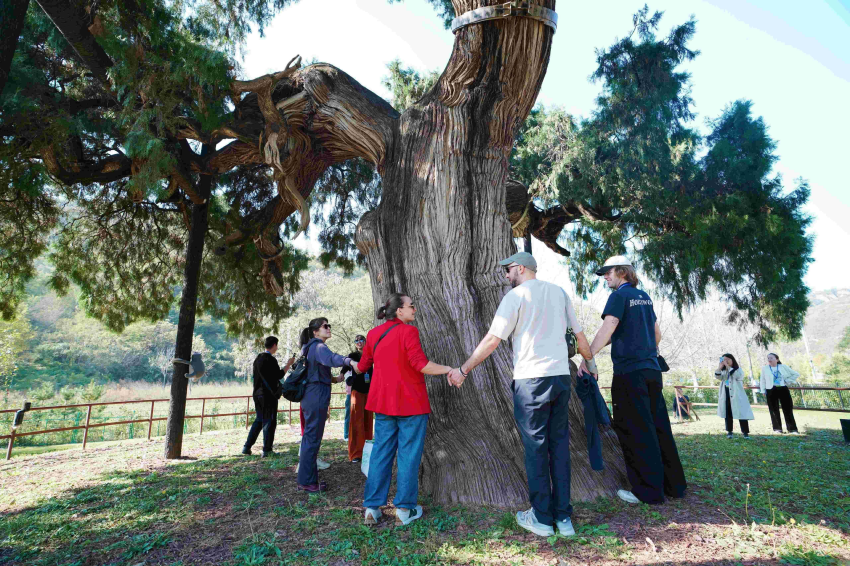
{"x": 542, "y": 413}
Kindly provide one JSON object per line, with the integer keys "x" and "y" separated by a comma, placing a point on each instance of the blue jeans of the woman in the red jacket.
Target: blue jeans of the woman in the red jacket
{"x": 405, "y": 436}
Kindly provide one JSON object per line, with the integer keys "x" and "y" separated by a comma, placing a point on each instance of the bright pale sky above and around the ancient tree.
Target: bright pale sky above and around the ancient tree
{"x": 790, "y": 58}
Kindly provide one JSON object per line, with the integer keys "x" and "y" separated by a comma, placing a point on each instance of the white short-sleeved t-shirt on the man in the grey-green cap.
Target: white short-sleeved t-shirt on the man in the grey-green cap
{"x": 535, "y": 314}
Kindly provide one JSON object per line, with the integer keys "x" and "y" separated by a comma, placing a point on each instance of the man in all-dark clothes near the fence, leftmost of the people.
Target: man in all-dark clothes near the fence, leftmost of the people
{"x": 267, "y": 376}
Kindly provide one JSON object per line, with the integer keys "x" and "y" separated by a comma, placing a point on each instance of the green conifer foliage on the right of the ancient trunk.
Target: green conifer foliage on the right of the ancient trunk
{"x": 696, "y": 213}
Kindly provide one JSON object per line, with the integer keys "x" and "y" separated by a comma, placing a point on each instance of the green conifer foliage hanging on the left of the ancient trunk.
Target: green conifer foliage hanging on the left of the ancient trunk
{"x": 102, "y": 116}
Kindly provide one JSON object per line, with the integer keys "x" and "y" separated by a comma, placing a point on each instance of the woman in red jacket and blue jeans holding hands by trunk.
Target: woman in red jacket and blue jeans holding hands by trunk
{"x": 400, "y": 402}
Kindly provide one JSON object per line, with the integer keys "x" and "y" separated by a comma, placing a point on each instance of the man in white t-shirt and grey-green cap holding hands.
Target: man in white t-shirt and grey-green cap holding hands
{"x": 535, "y": 315}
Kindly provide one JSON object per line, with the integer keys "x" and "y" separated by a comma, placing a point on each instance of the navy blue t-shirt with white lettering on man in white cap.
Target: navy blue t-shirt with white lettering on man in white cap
{"x": 633, "y": 345}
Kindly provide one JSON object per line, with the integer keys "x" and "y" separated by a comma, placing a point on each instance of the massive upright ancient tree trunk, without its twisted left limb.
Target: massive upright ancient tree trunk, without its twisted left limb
{"x": 438, "y": 234}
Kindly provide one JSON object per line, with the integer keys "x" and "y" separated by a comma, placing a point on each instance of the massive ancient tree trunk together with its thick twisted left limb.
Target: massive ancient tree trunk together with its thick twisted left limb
{"x": 439, "y": 232}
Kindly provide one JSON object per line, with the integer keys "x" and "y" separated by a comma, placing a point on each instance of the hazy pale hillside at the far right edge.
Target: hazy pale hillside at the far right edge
{"x": 826, "y": 320}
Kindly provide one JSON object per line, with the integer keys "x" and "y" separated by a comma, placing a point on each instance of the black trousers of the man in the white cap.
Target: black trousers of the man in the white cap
{"x": 643, "y": 427}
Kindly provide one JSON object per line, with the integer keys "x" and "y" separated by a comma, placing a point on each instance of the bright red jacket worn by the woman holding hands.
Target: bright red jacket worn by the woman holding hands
{"x": 398, "y": 386}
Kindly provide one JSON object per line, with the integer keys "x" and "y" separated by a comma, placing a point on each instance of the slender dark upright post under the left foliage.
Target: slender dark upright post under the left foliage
{"x": 186, "y": 320}
